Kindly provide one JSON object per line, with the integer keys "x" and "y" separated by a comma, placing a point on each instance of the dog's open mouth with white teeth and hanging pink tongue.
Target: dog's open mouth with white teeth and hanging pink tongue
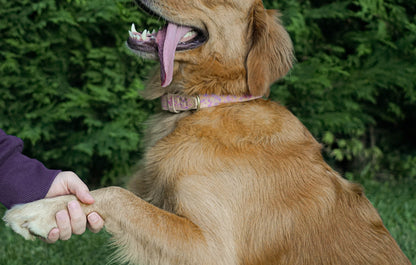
{"x": 171, "y": 38}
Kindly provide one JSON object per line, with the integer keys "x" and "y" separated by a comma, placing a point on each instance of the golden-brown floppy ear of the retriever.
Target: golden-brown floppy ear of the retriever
{"x": 270, "y": 54}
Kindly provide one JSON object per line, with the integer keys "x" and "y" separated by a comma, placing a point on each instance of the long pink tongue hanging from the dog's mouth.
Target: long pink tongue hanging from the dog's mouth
{"x": 167, "y": 40}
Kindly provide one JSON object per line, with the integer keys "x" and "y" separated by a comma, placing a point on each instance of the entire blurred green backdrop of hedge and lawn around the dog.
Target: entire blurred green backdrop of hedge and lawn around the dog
{"x": 69, "y": 88}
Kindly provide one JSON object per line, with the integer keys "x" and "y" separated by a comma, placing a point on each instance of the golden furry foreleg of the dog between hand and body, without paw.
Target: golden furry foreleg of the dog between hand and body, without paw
{"x": 146, "y": 233}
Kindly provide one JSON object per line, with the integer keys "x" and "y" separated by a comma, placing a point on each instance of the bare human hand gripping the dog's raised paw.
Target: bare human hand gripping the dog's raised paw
{"x": 73, "y": 220}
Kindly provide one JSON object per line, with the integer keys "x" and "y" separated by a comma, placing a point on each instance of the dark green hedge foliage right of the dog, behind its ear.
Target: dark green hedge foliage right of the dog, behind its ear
{"x": 354, "y": 81}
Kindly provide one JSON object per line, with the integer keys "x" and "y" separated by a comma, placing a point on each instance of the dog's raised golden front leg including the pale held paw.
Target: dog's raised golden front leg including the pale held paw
{"x": 145, "y": 233}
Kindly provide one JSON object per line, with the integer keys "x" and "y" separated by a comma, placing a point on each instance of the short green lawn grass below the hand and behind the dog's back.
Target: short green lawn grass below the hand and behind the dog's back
{"x": 396, "y": 202}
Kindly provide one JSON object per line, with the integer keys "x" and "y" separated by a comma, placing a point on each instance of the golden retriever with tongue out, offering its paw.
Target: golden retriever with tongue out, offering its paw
{"x": 228, "y": 177}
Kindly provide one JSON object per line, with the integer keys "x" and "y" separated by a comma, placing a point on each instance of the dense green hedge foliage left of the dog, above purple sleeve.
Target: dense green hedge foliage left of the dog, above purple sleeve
{"x": 69, "y": 87}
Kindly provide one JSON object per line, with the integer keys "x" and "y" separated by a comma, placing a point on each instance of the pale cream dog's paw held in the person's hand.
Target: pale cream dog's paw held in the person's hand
{"x": 35, "y": 219}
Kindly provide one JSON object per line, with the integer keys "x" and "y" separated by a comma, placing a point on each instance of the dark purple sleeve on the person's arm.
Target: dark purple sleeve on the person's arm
{"x": 21, "y": 179}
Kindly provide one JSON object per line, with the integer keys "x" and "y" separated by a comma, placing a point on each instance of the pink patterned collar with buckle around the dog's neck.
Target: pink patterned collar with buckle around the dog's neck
{"x": 177, "y": 103}
